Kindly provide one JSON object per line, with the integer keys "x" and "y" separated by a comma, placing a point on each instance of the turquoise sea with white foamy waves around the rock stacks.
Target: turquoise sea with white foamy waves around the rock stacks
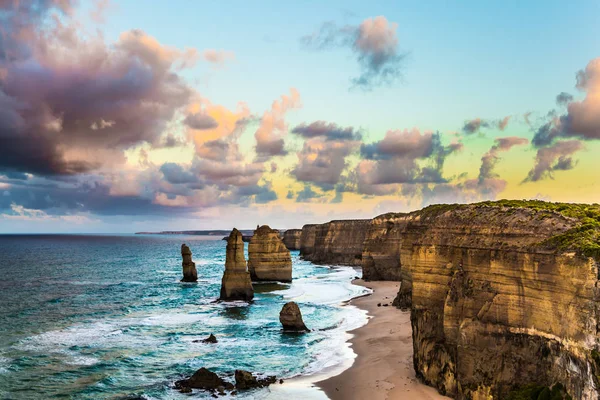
{"x": 88, "y": 317}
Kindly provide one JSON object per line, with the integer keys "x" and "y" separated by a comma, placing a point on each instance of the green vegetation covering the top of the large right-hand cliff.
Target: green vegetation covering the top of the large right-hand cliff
{"x": 583, "y": 238}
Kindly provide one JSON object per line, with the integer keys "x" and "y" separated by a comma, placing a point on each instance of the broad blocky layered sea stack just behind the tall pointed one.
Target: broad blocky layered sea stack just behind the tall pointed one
{"x": 268, "y": 258}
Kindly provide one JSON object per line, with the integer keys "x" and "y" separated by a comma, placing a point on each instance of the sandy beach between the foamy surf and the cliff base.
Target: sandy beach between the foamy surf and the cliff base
{"x": 383, "y": 368}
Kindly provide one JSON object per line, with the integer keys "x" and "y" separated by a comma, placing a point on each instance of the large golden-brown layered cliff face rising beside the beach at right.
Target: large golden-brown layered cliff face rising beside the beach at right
{"x": 495, "y": 303}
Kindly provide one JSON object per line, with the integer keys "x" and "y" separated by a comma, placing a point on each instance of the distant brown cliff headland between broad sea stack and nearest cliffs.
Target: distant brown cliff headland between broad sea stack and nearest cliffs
{"x": 335, "y": 242}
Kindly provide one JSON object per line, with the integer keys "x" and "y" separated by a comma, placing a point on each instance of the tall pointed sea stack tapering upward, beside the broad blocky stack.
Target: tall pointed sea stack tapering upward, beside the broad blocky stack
{"x": 236, "y": 283}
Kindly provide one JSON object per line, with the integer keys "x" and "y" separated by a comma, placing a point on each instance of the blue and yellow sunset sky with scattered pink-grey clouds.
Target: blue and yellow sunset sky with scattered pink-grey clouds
{"x": 118, "y": 116}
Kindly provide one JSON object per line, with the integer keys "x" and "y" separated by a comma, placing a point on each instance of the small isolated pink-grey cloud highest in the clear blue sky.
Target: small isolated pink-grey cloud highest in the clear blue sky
{"x": 375, "y": 44}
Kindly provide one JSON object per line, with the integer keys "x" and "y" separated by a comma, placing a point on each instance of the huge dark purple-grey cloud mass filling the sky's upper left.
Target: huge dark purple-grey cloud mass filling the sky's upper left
{"x": 63, "y": 93}
